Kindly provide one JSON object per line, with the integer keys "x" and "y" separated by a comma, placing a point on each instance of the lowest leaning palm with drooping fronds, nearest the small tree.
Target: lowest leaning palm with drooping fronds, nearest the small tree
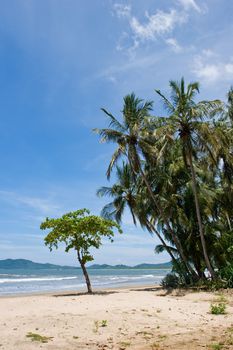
{"x": 125, "y": 192}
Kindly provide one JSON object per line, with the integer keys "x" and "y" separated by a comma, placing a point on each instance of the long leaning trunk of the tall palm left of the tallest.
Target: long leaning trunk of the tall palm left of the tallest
{"x": 188, "y": 267}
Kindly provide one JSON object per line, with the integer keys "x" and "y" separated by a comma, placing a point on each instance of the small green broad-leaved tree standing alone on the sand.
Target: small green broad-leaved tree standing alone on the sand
{"x": 80, "y": 231}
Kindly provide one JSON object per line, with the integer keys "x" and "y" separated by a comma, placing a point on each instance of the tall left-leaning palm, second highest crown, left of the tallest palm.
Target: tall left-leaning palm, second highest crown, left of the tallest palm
{"x": 128, "y": 135}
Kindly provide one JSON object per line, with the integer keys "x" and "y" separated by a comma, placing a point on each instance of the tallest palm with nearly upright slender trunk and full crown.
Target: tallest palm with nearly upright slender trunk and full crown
{"x": 188, "y": 122}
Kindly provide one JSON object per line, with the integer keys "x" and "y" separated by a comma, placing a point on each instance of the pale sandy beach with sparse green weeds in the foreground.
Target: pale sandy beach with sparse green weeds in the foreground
{"x": 125, "y": 318}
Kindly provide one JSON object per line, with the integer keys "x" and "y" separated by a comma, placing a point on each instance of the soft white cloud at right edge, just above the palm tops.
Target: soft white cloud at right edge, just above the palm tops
{"x": 209, "y": 68}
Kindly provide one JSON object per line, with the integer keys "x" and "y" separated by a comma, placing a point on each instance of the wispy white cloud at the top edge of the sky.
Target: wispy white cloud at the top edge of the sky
{"x": 158, "y": 25}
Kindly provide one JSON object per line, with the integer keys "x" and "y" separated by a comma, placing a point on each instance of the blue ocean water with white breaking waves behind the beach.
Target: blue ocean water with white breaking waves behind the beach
{"x": 19, "y": 281}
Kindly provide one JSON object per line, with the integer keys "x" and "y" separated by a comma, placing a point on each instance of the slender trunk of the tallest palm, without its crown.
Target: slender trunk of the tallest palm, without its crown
{"x": 203, "y": 242}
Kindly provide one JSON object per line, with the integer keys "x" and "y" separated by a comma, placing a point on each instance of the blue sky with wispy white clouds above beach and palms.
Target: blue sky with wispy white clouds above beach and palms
{"x": 60, "y": 62}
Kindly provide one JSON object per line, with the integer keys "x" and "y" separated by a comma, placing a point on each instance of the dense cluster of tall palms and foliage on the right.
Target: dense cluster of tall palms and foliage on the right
{"x": 175, "y": 174}
